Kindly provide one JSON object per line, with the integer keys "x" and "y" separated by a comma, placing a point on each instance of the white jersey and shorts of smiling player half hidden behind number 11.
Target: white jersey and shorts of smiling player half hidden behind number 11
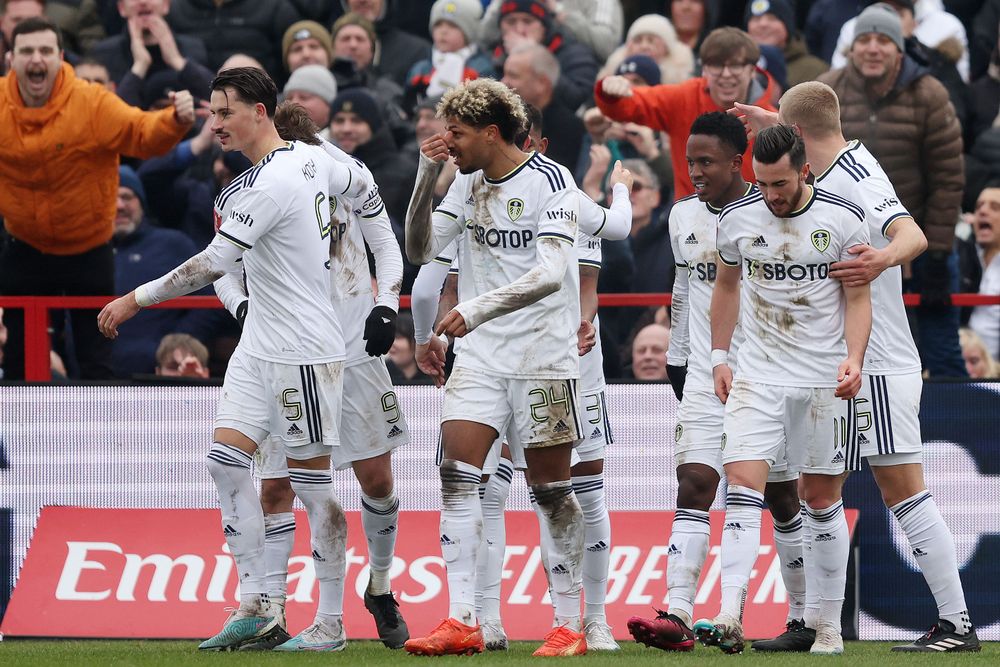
{"x": 698, "y": 435}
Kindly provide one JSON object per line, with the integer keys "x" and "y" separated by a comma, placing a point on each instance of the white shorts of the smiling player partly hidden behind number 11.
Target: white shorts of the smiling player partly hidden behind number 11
{"x": 698, "y": 435}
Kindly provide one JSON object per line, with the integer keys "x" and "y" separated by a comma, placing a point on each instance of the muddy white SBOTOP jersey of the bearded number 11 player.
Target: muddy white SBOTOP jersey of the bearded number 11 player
{"x": 791, "y": 311}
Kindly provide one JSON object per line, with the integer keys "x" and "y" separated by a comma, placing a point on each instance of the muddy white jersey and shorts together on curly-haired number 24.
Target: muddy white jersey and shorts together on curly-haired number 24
{"x": 518, "y": 364}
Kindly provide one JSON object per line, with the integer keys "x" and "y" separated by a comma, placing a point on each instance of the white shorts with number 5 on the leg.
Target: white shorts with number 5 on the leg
{"x": 299, "y": 406}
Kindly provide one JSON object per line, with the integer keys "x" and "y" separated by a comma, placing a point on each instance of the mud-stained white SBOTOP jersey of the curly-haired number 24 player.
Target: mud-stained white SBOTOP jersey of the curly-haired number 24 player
{"x": 500, "y": 223}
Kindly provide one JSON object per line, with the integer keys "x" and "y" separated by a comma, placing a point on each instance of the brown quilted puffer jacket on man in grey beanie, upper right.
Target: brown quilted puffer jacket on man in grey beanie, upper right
{"x": 914, "y": 134}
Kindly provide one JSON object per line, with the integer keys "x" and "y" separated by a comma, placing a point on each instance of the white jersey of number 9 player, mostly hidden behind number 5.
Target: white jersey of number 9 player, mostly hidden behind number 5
{"x": 354, "y": 221}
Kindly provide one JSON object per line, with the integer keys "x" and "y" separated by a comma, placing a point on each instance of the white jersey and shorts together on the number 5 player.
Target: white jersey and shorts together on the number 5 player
{"x": 286, "y": 375}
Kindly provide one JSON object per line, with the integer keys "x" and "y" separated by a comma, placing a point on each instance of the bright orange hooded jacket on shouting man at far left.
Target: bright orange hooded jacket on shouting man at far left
{"x": 59, "y": 162}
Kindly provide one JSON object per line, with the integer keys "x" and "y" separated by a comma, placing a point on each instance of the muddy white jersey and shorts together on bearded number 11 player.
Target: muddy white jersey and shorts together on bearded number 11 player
{"x": 792, "y": 319}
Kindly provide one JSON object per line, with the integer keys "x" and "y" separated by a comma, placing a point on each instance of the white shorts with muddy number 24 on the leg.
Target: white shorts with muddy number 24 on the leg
{"x": 533, "y": 413}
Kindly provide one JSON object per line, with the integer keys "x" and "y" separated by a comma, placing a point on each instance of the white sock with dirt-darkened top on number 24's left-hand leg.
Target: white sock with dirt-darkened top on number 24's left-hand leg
{"x": 461, "y": 535}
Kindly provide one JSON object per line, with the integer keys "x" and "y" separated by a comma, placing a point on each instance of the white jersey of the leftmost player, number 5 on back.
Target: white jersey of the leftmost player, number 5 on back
{"x": 277, "y": 212}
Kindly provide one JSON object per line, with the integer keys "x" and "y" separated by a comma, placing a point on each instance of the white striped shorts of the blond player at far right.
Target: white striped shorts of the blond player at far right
{"x": 888, "y": 414}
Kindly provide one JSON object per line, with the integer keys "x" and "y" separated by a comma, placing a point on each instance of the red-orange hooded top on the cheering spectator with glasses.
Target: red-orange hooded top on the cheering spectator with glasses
{"x": 672, "y": 108}
